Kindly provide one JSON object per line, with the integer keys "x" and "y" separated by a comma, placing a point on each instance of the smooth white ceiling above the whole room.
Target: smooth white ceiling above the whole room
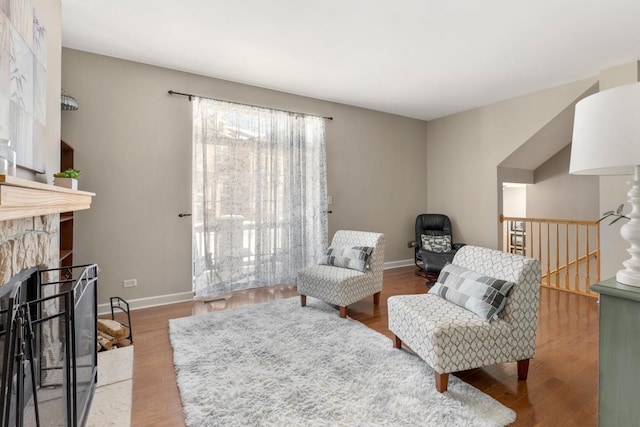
{"x": 416, "y": 58}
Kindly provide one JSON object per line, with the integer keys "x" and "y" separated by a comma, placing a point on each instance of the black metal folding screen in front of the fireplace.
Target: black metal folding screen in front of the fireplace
{"x": 48, "y": 328}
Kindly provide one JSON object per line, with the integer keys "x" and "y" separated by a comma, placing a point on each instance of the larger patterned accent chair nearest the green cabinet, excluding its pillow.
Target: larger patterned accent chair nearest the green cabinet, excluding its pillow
{"x": 450, "y": 338}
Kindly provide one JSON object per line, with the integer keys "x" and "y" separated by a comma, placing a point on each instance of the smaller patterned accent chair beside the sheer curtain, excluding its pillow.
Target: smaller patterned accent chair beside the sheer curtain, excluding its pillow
{"x": 343, "y": 286}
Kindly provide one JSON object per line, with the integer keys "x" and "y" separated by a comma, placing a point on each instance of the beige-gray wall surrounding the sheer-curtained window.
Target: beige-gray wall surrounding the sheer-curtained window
{"x": 133, "y": 144}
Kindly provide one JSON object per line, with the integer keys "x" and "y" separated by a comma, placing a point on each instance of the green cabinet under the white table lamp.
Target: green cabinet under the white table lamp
{"x": 619, "y": 354}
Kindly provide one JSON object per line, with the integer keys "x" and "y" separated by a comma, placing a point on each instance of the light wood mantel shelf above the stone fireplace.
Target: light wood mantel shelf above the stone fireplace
{"x": 21, "y": 198}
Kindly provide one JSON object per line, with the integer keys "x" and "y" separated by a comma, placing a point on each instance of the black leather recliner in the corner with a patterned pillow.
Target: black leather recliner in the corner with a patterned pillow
{"x": 440, "y": 237}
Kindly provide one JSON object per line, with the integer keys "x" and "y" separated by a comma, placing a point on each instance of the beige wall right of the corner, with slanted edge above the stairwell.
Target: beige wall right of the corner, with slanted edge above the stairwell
{"x": 464, "y": 151}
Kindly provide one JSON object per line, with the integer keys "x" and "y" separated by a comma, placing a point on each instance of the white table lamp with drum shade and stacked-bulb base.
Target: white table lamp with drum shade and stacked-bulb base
{"x": 606, "y": 141}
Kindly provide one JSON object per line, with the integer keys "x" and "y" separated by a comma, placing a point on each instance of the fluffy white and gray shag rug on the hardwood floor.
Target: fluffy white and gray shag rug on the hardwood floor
{"x": 279, "y": 364}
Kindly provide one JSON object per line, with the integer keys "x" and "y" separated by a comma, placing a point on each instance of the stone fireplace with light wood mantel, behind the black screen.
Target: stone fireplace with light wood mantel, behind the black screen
{"x": 29, "y": 242}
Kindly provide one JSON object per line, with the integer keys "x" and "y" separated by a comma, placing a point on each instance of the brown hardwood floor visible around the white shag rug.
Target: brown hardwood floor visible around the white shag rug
{"x": 562, "y": 388}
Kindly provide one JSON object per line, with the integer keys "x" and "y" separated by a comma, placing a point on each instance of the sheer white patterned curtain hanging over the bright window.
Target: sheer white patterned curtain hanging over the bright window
{"x": 259, "y": 196}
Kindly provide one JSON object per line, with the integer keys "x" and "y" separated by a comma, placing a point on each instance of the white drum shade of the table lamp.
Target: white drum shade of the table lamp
{"x": 606, "y": 133}
